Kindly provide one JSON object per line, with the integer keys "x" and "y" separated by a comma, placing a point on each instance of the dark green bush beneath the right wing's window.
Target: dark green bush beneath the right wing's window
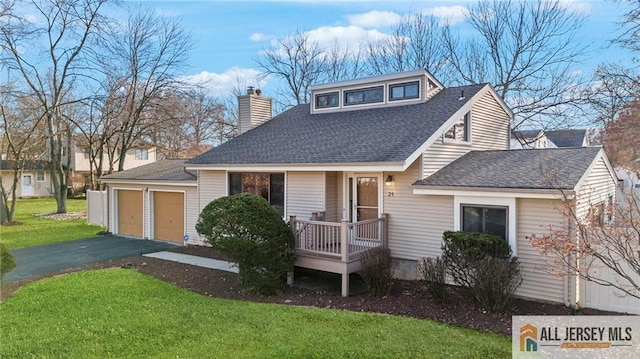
{"x": 483, "y": 264}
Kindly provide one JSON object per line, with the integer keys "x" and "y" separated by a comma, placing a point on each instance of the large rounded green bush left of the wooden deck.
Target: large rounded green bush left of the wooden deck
{"x": 254, "y": 235}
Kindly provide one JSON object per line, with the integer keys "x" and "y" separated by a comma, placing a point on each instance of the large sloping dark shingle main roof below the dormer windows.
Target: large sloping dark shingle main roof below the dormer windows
{"x": 388, "y": 134}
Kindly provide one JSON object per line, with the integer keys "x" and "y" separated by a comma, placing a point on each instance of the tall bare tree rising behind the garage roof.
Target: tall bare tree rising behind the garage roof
{"x": 144, "y": 59}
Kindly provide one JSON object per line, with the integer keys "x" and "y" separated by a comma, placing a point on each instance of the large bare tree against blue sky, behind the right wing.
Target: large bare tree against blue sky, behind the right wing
{"x": 527, "y": 51}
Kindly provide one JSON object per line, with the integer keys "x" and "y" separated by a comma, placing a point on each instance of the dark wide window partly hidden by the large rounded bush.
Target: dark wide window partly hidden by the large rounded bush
{"x": 269, "y": 186}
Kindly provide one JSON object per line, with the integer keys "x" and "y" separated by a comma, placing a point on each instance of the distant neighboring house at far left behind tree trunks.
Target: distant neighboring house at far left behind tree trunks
{"x": 33, "y": 181}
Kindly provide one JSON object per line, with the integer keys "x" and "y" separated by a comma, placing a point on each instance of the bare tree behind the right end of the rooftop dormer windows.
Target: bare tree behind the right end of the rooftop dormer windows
{"x": 415, "y": 43}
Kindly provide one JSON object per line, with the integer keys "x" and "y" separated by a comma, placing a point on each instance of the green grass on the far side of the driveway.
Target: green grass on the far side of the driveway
{"x": 35, "y": 231}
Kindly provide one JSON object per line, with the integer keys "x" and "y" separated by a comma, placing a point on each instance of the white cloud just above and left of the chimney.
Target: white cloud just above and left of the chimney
{"x": 223, "y": 84}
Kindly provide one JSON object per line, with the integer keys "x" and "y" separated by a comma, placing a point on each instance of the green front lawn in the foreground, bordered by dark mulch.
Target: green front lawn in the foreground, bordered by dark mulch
{"x": 120, "y": 313}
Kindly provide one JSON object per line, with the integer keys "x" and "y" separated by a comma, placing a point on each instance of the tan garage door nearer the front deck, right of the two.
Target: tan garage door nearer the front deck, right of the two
{"x": 168, "y": 216}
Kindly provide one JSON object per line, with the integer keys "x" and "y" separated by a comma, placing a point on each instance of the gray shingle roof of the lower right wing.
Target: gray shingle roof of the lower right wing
{"x": 549, "y": 168}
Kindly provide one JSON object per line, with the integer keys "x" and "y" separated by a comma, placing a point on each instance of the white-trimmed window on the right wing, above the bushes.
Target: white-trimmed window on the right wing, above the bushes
{"x": 485, "y": 219}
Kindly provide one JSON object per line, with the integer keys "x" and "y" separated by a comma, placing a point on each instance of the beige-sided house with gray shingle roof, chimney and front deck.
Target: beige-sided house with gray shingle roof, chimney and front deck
{"x": 393, "y": 160}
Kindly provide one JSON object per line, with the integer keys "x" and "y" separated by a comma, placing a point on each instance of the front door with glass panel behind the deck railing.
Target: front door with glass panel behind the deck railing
{"x": 363, "y": 197}
